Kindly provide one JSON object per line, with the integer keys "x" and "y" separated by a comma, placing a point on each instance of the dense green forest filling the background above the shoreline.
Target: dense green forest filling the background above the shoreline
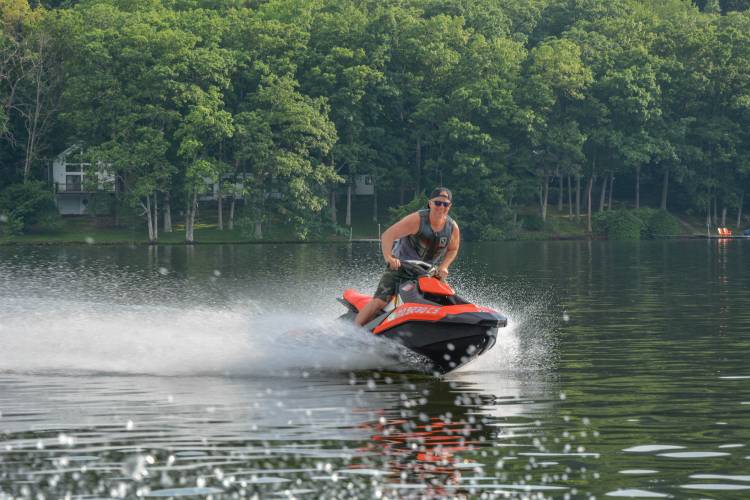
{"x": 567, "y": 105}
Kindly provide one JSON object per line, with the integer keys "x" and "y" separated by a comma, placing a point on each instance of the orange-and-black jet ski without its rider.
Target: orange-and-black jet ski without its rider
{"x": 428, "y": 318}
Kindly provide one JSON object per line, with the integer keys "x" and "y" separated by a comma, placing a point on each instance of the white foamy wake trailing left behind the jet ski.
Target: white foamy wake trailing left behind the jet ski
{"x": 57, "y": 335}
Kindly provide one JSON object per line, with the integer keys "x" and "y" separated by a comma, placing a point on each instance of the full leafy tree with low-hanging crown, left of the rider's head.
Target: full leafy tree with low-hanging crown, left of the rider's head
{"x": 284, "y": 137}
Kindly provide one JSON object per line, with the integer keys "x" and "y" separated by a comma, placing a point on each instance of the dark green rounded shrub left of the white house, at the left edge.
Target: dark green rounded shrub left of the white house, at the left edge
{"x": 27, "y": 204}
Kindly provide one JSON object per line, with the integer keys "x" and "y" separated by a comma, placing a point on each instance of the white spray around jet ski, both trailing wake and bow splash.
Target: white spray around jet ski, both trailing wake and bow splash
{"x": 97, "y": 320}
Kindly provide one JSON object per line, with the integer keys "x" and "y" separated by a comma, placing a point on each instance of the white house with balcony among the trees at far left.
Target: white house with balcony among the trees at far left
{"x": 73, "y": 182}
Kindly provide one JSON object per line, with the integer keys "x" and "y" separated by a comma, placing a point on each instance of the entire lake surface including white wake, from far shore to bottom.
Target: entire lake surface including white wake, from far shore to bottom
{"x": 219, "y": 371}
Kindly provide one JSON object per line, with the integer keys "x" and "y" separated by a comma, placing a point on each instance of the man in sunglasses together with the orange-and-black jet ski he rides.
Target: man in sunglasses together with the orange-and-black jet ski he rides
{"x": 412, "y": 304}
